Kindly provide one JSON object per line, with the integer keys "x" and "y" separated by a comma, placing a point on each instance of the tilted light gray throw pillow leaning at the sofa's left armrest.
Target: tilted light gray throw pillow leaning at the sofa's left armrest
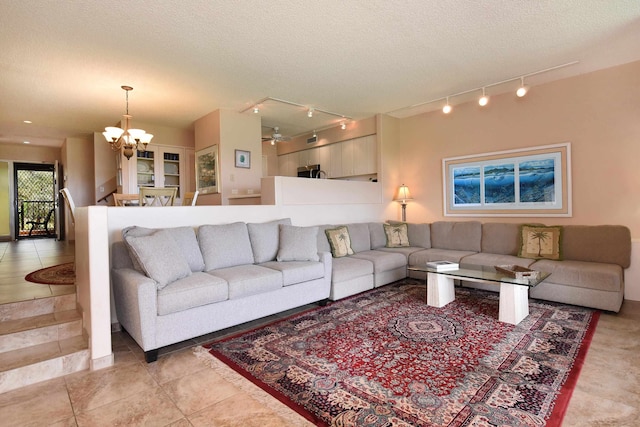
{"x": 159, "y": 257}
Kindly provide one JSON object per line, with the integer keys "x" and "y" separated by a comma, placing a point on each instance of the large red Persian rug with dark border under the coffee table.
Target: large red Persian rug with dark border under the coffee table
{"x": 385, "y": 358}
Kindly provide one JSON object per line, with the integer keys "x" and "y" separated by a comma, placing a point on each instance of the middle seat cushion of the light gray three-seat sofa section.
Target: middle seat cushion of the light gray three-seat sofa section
{"x": 249, "y": 279}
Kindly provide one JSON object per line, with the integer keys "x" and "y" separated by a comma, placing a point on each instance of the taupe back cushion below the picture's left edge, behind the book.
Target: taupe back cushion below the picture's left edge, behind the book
{"x": 460, "y": 236}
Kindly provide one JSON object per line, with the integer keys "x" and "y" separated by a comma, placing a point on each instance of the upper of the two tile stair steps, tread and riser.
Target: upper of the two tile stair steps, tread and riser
{"x": 30, "y": 331}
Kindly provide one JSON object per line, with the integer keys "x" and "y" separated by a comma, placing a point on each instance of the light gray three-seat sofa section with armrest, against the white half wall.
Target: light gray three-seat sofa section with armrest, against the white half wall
{"x": 230, "y": 274}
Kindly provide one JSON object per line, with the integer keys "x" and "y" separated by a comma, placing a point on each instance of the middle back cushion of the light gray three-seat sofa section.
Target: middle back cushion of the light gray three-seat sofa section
{"x": 225, "y": 245}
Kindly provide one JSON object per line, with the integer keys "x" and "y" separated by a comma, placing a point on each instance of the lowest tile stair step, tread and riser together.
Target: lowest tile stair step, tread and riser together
{"x": 42, "y": 362}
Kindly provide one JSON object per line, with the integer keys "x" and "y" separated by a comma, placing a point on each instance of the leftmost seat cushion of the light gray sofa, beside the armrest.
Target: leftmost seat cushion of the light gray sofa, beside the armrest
{"x": 193, "y": 291}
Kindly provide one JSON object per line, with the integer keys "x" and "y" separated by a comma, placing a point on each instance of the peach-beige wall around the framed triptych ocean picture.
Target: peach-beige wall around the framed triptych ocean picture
{"x": 598, "y": 113}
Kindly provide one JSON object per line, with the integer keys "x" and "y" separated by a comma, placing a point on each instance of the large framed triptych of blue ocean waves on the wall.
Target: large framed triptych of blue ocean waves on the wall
{"x": 526, "y": 182}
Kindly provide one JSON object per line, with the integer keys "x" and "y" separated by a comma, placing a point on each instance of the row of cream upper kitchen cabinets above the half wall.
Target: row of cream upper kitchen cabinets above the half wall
{"x": 354, "y": 157}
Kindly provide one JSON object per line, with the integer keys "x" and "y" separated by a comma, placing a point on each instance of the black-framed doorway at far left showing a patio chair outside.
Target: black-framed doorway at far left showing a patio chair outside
{"x": 35, "y": 200}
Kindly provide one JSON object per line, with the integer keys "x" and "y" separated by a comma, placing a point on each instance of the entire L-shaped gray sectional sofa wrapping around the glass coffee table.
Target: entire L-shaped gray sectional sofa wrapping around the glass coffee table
{"x": 240, "y": 272}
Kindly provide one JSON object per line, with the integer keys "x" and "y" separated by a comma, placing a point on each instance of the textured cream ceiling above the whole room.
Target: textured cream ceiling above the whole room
{"x": 62, "y": 63}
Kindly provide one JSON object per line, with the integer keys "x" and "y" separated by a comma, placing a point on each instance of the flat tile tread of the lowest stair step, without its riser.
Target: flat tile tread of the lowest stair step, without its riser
{"x": 41, "y": 352}
